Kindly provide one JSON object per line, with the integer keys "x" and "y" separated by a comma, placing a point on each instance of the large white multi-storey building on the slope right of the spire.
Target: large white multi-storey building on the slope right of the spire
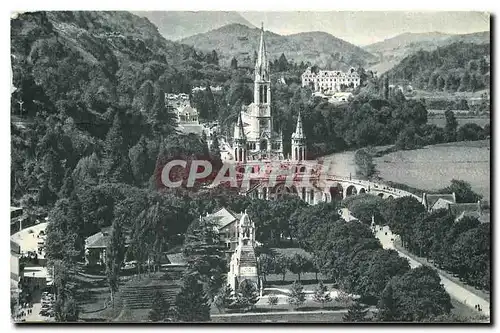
{"x": 330, "y": 81}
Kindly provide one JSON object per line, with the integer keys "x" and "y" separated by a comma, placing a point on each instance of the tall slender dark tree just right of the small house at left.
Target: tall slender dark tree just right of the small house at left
{"x": 114, "y": 258}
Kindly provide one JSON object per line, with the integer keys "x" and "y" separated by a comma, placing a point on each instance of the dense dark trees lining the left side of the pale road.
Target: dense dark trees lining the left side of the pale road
{"x": 350, "y": 256}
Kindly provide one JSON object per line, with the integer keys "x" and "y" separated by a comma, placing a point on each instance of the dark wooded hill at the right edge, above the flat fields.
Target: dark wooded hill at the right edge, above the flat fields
{"x": 456, "y": 67}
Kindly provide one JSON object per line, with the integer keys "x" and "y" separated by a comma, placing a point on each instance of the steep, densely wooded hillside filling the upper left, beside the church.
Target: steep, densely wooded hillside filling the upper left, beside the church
{"x": 91, "y": 86}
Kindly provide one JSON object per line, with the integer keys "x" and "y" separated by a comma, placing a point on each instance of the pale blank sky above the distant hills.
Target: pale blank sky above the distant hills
{"x": 363, "y": 28}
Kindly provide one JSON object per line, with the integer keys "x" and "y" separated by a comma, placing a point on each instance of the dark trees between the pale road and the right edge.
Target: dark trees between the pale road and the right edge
{"x": 461, "y": 247}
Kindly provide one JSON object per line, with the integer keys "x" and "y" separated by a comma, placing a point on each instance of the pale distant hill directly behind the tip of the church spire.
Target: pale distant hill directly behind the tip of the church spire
{"x": 320, "y": 48}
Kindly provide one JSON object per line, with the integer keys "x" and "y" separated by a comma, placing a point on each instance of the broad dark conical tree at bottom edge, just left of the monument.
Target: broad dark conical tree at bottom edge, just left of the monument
{"x": 191, "y": 302}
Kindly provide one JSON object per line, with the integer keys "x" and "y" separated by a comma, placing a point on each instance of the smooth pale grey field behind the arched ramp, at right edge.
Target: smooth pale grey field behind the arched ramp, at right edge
{"x": 433, "y": 167}
